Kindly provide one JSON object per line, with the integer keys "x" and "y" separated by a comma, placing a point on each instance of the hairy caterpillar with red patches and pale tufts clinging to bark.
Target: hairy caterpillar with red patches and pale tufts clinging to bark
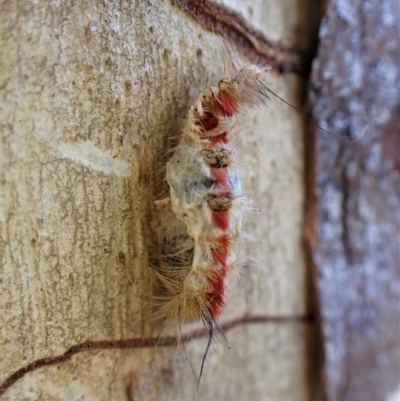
{"x": 204, "y": 236}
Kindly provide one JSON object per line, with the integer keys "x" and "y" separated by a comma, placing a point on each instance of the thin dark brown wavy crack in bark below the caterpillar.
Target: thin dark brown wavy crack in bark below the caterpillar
{"x": 143, "y": 343}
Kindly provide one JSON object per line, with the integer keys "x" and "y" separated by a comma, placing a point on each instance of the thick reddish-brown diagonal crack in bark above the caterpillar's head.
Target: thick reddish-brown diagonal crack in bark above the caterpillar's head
{"x": 231, "y": 25}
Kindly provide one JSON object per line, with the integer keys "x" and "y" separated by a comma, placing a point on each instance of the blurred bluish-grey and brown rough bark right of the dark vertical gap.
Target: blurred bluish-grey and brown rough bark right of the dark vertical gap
{"x": 356, "y": 81}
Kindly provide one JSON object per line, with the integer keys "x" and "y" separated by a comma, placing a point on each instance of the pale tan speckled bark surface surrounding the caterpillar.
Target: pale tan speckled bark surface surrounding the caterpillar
{"x": 91, "y": 93}
